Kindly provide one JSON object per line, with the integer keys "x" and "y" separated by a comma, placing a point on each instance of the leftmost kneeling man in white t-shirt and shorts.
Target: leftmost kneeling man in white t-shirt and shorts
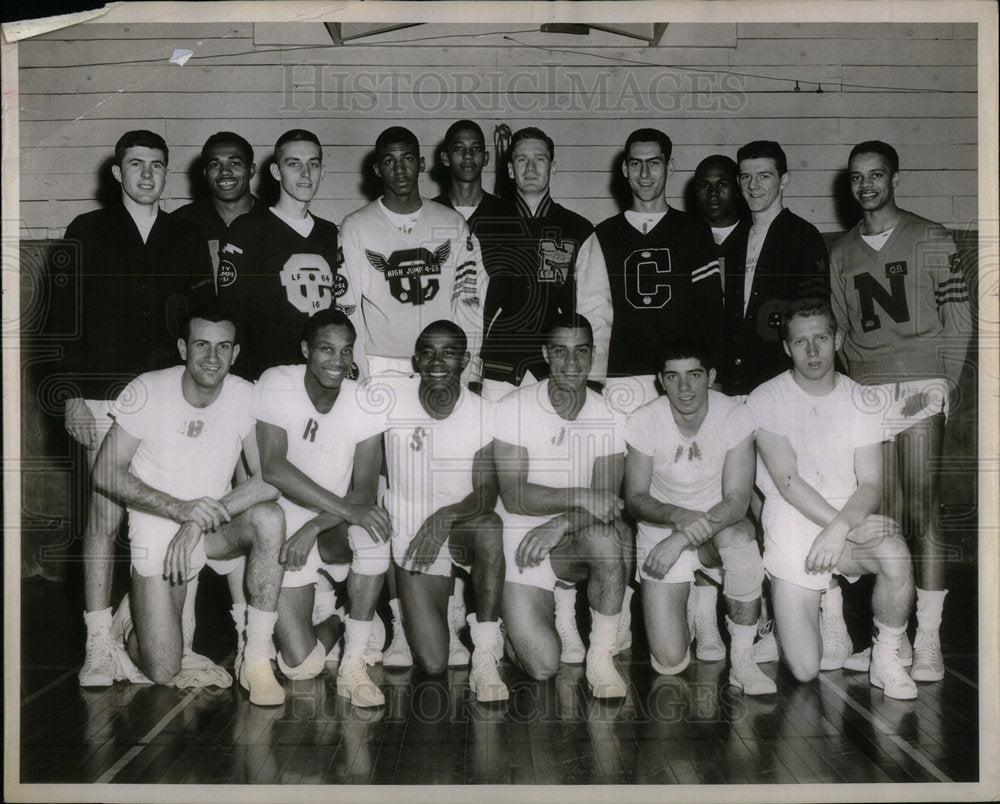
{"x": 170, "y": 456}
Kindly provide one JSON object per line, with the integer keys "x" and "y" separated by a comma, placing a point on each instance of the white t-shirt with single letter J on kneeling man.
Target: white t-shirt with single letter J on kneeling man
{"x": 561, "y": 454}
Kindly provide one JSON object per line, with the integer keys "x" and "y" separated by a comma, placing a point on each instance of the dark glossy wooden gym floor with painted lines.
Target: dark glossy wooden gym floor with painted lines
{"x": 688, "y": 729}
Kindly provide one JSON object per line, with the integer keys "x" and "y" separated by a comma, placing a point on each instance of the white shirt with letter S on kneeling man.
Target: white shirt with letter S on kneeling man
{"x": 430, "y": 461}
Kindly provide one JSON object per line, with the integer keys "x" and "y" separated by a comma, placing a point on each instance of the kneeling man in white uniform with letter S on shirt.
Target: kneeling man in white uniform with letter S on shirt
{"x": 442, "y": 495}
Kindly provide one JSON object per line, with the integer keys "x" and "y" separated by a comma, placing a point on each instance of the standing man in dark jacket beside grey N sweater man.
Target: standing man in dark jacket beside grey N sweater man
{"x": 784, "y": 259}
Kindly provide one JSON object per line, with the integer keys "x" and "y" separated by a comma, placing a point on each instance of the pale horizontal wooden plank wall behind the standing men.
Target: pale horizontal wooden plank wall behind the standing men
{"x": 712, "y": 87}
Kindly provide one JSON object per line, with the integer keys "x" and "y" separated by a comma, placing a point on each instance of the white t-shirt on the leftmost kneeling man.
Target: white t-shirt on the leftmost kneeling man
{"x": 184, "y": 451}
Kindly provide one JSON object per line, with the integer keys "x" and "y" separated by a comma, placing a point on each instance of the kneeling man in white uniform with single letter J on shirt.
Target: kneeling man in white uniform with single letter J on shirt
{"x": 559, "y": 454}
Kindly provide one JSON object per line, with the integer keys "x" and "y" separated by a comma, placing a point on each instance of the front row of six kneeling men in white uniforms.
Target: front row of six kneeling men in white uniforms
{"x": 524, "y": 493}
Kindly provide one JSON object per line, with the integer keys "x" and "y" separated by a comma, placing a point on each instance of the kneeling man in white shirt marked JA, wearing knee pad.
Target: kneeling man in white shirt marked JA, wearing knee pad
{"x": 688, "y": 480}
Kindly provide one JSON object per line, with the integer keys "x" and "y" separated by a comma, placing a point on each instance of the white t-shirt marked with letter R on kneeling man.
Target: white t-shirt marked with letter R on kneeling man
{"x": 321, "y": 445}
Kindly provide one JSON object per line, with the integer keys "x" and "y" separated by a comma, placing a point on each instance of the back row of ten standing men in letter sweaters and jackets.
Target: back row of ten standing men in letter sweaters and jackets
{"x": 505, "y": 272}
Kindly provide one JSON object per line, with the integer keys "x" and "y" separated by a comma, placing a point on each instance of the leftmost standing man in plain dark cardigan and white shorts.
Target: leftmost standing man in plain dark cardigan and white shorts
{"x": 134, "y": 269}
